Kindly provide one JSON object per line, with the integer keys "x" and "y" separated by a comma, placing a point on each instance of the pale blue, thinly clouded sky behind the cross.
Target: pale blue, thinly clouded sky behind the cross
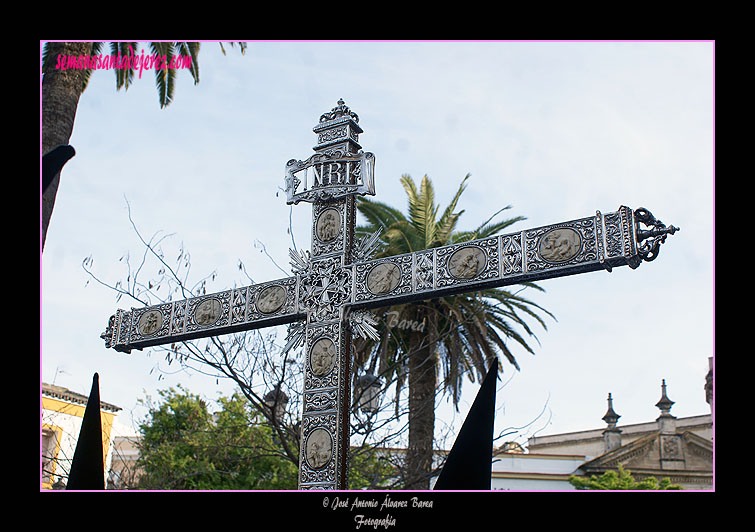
{"x": 558, "y": 130}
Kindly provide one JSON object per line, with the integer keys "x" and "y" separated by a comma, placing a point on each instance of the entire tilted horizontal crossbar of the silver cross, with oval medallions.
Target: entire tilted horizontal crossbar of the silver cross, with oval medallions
{"x": 603, "y": 241}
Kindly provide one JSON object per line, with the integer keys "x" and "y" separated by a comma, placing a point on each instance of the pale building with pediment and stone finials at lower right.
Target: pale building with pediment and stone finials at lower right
{"x": 680, "y": 449}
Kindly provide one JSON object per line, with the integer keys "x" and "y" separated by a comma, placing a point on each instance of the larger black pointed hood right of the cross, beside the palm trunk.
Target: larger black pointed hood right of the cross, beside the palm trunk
{"x": 468, "y": 466}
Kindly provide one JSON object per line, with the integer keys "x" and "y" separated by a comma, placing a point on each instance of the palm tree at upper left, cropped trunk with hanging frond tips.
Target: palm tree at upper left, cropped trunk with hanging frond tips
{"x": 62, "y": 88}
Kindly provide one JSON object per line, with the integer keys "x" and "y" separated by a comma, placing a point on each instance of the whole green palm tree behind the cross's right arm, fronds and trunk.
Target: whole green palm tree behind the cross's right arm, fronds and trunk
{"x": 463, "y": 334}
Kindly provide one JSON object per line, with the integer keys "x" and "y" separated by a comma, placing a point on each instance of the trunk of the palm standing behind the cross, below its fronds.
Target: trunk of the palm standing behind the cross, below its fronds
{"x": 422, "y": 383}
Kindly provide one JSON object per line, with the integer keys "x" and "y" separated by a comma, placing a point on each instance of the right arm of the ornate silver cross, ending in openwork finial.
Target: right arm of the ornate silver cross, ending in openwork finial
{"x": 603, "y": 241}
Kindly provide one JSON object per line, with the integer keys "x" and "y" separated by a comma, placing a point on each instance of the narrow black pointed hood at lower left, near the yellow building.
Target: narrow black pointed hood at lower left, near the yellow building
{"x": 88, "y": 467}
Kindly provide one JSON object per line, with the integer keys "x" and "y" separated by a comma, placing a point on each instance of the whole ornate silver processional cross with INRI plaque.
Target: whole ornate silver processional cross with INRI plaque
{"x": 333, "y": 287}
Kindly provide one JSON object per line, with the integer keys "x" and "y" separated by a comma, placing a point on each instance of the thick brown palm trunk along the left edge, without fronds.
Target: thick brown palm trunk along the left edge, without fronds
{"x": 60, "y": 98}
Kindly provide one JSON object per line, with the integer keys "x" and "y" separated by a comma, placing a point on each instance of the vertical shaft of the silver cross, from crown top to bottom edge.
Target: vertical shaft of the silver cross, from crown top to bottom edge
{"x": 324, "y": 445}
